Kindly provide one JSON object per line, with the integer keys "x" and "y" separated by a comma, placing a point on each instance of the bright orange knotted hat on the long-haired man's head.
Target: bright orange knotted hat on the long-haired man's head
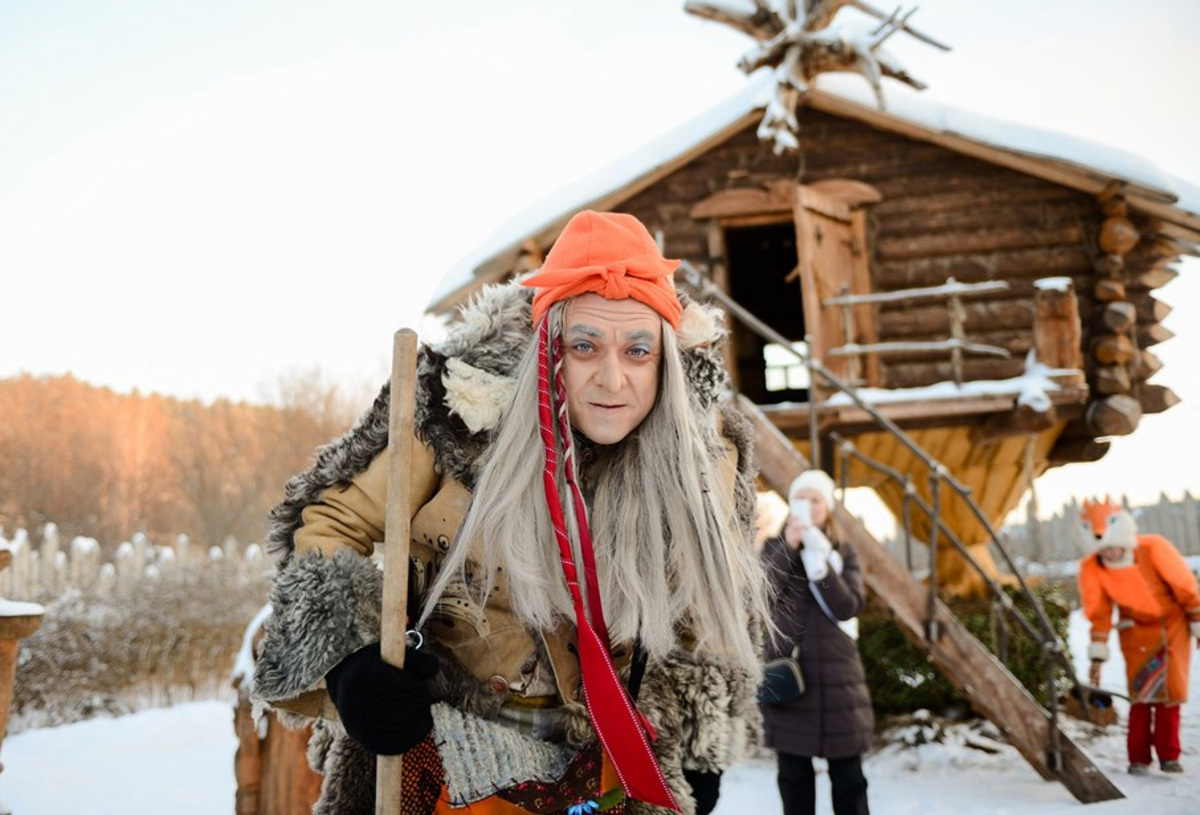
{"x": 613, "y": 255}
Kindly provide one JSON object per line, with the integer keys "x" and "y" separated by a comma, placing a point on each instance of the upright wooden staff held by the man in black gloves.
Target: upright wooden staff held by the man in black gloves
{"x": 397, "y": 542}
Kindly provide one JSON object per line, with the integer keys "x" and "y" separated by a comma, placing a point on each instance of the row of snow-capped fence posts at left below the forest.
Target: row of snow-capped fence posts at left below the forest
{"x": 51, "y": 571}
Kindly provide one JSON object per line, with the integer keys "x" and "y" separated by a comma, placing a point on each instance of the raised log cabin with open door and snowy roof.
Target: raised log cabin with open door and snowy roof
{"x": 989, "y": 287}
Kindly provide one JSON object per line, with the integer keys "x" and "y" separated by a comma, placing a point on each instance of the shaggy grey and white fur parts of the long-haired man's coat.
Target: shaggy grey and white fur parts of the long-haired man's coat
{"x": 327, "y": 608}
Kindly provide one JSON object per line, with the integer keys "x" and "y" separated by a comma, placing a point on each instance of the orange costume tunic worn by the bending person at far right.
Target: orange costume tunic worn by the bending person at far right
{"x": 1156, "y": 598}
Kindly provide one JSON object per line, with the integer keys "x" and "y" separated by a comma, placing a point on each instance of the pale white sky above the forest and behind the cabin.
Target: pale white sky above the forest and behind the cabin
{"x": 200, "y": 197}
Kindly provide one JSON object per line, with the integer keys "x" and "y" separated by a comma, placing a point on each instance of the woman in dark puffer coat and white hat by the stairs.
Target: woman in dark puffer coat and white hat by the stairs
{"x": 833, "y": 718}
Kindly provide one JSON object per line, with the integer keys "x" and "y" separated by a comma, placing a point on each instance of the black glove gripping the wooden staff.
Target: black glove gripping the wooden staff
{"x": 383, "y": 708}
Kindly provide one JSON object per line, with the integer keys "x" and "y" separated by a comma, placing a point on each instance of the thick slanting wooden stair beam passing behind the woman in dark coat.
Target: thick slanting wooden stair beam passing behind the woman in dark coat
{"x": 991, "y": 687}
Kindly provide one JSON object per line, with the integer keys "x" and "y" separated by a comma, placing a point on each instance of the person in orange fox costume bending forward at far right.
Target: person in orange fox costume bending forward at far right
{"x": 1149, "y": 584}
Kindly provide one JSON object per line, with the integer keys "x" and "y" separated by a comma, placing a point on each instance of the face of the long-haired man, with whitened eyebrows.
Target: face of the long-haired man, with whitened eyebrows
{"x": 613, "y": 351}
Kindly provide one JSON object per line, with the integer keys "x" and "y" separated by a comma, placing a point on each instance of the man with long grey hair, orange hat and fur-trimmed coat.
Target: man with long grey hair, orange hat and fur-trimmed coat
{"x": 581, "y": 519}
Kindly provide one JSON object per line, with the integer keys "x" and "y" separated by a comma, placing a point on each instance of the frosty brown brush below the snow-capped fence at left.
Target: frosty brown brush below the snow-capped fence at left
{"x": 157, "y": 643}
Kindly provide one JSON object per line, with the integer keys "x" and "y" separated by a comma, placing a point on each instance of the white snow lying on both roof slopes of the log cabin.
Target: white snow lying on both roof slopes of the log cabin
{"x": 913, "y": 109}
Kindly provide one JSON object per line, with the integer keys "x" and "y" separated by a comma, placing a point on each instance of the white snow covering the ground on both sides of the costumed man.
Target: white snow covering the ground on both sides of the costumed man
{"x": 181, "y": 762}
